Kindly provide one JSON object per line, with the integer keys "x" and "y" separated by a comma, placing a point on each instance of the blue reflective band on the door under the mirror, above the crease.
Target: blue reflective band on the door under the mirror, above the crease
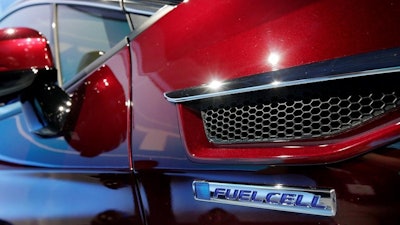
{"x": 22, "y": 147}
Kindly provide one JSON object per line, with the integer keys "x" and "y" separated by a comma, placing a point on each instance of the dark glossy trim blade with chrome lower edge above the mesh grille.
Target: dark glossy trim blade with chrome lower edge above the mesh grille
{"x": 367, "y": 64}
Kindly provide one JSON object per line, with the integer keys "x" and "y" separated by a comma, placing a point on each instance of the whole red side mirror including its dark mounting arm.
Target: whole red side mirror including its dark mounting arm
{"x": 27, "y": 70}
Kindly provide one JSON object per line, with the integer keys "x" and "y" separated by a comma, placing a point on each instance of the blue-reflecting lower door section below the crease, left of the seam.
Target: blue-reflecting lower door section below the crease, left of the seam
{"x": 35, "y": 196}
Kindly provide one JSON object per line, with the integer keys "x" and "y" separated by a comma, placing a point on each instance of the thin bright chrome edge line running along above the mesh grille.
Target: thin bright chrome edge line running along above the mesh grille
{"x": 207, "y": 90}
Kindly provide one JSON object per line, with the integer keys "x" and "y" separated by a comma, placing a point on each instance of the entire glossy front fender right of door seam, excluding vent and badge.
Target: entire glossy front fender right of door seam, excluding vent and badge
{"x": 227, "y": 41}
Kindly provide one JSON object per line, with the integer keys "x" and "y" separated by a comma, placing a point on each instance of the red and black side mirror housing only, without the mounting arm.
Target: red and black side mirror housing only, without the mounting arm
{"x": 24, "y": 53}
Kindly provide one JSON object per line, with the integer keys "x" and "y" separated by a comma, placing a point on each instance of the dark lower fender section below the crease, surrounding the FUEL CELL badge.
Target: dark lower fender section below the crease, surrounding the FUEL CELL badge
{"x": 366, "y": 190}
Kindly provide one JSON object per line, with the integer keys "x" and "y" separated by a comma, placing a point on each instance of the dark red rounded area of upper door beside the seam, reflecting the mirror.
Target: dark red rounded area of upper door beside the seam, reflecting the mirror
{"x": 100, "y": 108}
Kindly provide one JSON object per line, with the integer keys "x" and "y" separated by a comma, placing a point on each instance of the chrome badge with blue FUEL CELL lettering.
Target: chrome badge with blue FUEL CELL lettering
{"x": 320, "y": 202}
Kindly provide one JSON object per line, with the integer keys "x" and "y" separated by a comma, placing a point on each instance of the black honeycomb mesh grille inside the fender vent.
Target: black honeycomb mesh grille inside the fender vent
{"x": 299, "y": 112}
